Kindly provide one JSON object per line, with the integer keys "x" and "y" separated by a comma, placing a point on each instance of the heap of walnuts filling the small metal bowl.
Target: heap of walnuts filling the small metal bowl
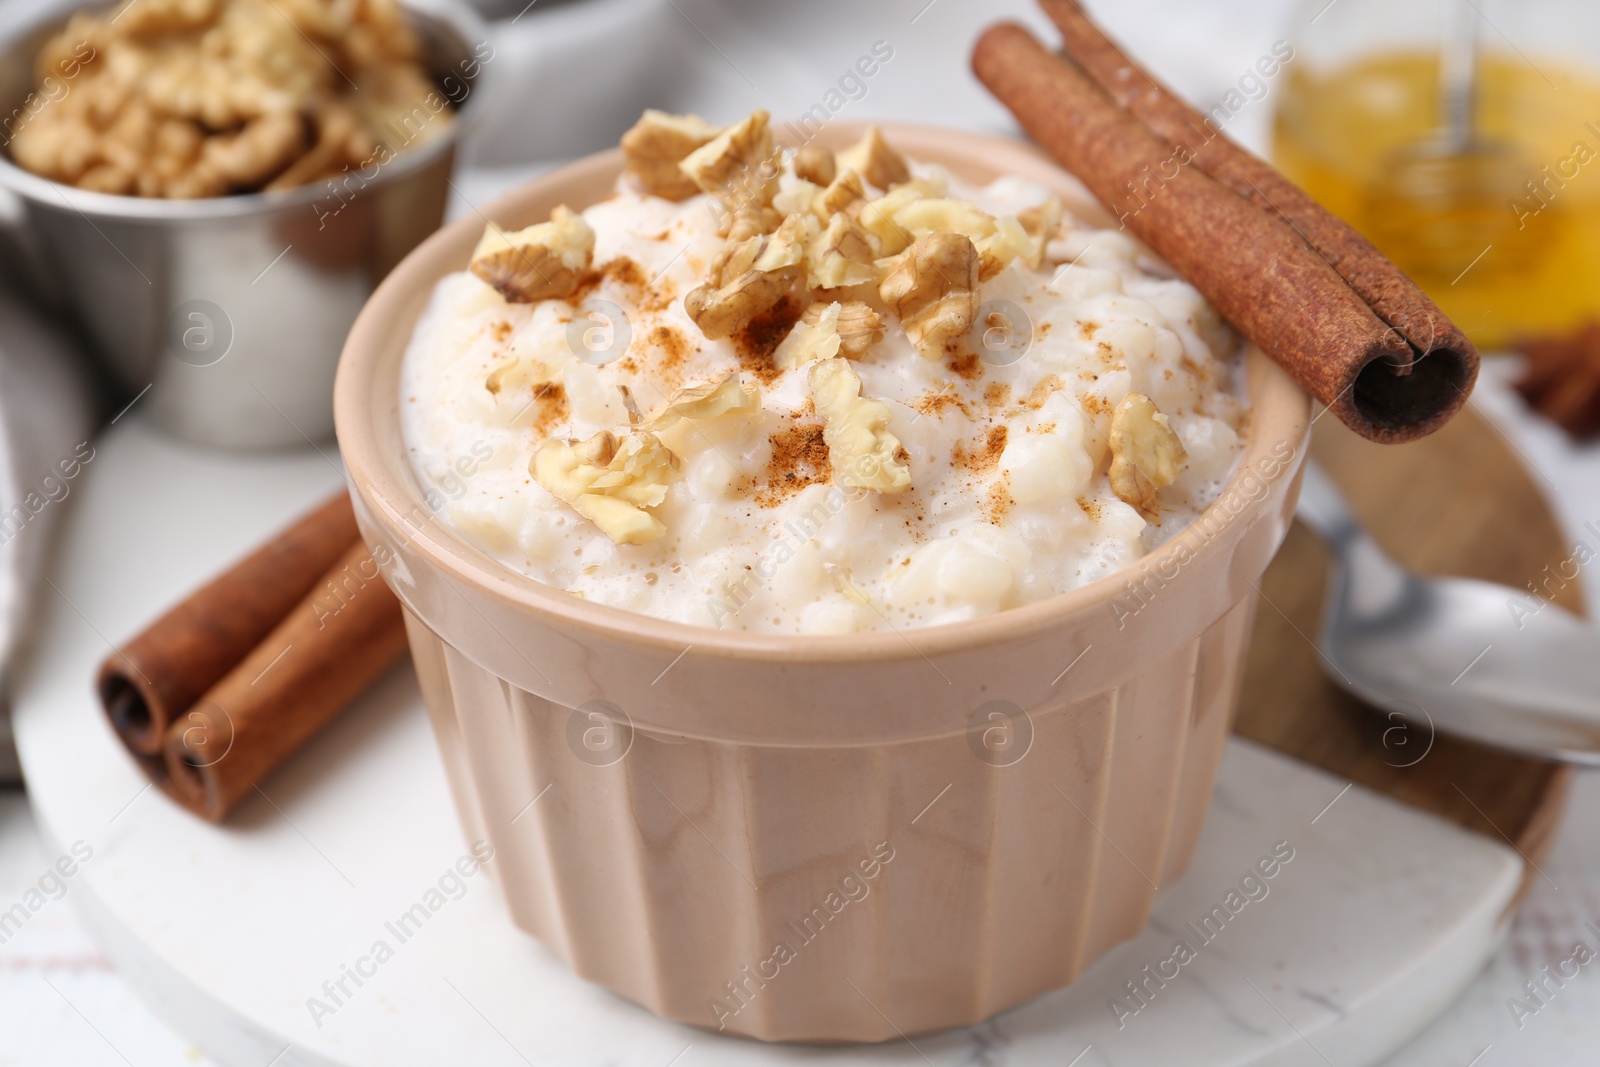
{"x": 207, "y": 98}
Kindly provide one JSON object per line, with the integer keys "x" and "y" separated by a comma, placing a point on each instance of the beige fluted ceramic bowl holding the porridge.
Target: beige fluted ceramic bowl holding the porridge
{"x": 820, "y": 839}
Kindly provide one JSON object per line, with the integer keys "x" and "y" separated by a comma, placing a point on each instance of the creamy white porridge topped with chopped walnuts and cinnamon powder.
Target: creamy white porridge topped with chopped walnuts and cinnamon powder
{"x": 886, "y": 446}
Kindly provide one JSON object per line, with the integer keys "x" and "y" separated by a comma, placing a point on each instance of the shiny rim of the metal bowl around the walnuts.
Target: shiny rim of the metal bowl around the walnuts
{"x": 455, "y": 15}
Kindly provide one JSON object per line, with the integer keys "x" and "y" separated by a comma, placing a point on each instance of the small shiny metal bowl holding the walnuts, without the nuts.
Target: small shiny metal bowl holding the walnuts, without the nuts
{"x": 233, "y": 311}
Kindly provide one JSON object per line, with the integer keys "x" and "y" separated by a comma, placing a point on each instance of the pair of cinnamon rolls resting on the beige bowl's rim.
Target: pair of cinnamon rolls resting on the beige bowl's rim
{"x": 1313, "y": 294}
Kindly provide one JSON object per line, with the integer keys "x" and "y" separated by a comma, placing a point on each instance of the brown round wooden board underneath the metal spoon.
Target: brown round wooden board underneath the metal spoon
{"x": 1457, "y": 503}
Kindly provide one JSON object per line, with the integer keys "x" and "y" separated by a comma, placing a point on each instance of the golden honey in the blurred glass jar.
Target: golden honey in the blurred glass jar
{"x": 1506, "y": 239}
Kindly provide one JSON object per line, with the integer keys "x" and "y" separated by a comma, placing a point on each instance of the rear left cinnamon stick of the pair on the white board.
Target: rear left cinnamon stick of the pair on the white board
{"x": 164, "y": 671}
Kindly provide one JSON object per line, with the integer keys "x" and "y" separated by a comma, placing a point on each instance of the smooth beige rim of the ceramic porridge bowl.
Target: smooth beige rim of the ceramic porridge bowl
{"x": 1279, "y": 410}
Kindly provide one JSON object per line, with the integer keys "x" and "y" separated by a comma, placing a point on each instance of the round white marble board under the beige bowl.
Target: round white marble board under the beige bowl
{"x": 1374, "y": 929}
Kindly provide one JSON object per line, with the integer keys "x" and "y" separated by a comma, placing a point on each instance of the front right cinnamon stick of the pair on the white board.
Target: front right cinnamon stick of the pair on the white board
{"x": 330, "y": 647}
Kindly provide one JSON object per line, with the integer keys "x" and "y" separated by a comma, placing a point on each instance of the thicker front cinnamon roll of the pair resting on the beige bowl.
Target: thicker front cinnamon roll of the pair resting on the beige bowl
{"x": 1250, "y": 265}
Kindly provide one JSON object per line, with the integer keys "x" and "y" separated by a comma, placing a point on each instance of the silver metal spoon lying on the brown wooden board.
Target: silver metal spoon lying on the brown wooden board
{"x": 1468, "y": 658}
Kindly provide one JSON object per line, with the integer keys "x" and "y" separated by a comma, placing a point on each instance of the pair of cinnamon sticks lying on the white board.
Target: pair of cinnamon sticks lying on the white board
{"x": 230, "y": 682}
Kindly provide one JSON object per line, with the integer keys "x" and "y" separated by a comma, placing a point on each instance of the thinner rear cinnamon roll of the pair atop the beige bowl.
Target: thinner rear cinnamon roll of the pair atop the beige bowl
{"x": 1374, "y": 276}
